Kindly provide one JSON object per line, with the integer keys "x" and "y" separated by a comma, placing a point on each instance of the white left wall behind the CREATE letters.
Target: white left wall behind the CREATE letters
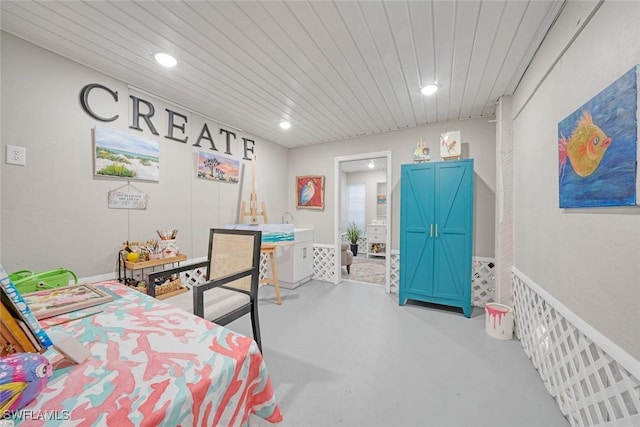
{"x": 54, "y": 211}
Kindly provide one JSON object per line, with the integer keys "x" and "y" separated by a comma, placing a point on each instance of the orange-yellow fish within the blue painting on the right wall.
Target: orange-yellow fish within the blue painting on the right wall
{"x": 585, "y": 148}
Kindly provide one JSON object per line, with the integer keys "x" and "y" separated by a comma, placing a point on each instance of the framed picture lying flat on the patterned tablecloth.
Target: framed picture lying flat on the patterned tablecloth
{"x": 52, "y": 302}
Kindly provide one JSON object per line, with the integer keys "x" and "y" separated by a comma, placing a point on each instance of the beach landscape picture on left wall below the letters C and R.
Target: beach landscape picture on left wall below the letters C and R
{"x": 125, "y": 156}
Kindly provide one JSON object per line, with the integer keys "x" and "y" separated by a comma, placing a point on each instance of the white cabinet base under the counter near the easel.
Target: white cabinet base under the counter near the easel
{"x": 295, "y": 262}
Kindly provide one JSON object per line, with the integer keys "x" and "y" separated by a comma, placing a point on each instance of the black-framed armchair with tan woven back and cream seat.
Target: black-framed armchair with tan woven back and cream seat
{"x": 232, "y": 275}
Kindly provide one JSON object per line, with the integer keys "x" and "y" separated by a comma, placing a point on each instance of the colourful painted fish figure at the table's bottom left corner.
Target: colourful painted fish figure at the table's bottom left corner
{"x": 22, "y": 377}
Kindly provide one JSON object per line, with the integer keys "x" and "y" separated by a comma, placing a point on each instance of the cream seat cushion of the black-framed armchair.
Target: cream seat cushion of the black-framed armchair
{"x": 217, "y": 302}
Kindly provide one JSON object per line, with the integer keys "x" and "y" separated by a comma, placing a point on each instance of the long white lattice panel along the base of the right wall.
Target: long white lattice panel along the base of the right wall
{"x": 590, "y": 387}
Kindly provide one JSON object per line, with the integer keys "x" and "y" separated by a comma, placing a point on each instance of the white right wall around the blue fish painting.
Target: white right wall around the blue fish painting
{"x": 589, "y": 259}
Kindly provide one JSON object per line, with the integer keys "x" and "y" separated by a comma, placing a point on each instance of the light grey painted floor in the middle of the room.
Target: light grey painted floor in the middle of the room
{"x": 349, "y": 355}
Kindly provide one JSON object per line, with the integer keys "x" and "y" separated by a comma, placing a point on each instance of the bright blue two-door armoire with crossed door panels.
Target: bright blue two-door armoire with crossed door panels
{"x": 436, "y": 233}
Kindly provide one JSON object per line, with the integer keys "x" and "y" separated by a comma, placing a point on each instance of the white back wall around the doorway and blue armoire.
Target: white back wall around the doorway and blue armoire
{"x": 478, "y": 137}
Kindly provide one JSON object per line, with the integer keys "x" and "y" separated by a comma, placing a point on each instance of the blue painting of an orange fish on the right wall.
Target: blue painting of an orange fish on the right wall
{"x": 598, "y": 148}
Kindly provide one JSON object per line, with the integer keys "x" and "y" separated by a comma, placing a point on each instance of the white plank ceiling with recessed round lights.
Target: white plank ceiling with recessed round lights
{"x": 334, "y": 69}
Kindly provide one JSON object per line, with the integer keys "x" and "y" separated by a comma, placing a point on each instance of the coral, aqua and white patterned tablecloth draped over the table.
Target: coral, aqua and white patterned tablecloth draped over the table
{"x": 152, "y": 364}
